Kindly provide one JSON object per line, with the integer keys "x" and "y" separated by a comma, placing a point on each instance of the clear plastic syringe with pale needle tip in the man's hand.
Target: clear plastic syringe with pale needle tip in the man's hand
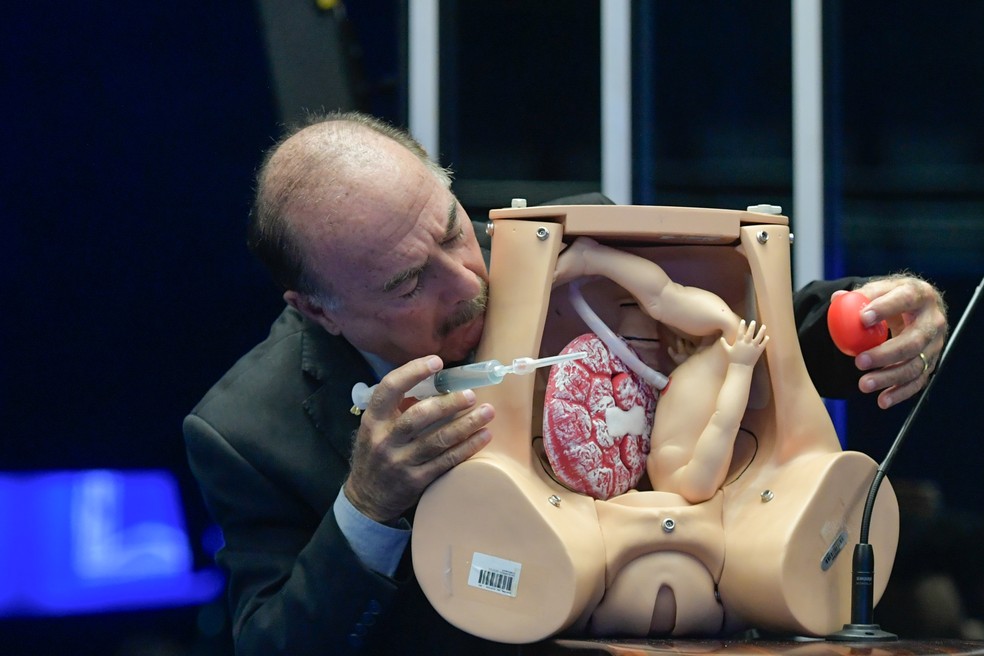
{"x": 468, "y": 376}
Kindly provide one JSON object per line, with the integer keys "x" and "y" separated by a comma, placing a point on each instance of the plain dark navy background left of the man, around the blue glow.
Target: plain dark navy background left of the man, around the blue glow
{"x": 130, "y": 132}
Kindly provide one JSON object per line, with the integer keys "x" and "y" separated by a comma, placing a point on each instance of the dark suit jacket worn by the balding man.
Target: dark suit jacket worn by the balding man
{"x": 270, "y": 446}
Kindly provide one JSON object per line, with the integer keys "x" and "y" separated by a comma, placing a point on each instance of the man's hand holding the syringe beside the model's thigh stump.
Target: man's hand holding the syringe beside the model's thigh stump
{"x": 399, "y": 452}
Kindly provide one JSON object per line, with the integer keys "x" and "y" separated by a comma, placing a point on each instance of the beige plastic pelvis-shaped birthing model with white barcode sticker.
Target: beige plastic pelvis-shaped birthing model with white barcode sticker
{"x": 504, "y": 551}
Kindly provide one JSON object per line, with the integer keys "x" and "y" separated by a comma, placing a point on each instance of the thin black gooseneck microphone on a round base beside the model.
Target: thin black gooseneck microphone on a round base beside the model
{"x": 862, "y": 627}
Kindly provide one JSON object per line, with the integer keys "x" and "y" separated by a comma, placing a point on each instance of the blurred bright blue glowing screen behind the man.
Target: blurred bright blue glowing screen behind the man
{"x": 97, "y": 540}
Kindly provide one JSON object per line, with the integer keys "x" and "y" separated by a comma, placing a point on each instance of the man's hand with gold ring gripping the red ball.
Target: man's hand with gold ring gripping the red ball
{"x": 916, "y": 316}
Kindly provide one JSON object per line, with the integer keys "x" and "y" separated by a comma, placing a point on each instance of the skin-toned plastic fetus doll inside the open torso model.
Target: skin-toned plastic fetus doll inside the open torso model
{"x": 698, "y": 418}
